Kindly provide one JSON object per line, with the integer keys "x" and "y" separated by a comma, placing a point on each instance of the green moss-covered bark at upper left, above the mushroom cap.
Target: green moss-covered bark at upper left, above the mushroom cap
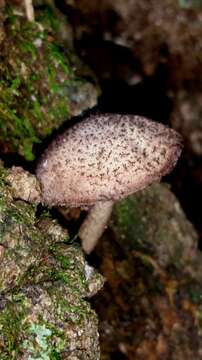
{"x": 35, "y": 86}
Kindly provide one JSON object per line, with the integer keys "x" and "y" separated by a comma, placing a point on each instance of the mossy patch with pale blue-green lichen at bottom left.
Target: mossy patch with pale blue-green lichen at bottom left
{"x": 40, "y": 336}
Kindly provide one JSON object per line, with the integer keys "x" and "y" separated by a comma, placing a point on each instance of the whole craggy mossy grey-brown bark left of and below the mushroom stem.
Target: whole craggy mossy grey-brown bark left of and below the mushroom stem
{"x": 43, "y": 285}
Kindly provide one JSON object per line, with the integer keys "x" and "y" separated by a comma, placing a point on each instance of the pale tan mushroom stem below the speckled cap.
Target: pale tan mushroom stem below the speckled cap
{"x": 94, "y": 225}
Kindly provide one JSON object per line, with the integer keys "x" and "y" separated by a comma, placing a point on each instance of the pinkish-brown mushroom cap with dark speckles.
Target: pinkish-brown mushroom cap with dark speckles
{"x": 106, "y": 157}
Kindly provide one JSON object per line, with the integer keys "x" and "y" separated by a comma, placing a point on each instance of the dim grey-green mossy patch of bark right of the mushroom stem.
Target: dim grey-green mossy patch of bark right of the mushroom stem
{"x": 151, "y": 221}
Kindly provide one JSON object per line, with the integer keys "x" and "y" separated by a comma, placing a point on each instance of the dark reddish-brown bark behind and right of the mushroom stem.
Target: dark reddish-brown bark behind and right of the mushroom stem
{"x": 151, "y": 305}
